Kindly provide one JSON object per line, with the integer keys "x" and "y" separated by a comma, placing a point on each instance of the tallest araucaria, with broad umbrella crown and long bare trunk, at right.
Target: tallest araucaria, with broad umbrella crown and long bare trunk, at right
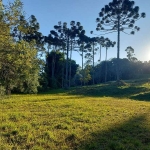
{"x": 118, "y": 16}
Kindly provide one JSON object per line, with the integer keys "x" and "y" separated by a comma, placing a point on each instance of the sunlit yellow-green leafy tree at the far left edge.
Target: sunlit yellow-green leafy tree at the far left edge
{"x": 19, "y": 65}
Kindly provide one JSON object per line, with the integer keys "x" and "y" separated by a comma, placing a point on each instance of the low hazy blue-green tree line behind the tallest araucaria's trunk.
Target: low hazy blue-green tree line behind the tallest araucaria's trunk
{"x": 102, "y": 74}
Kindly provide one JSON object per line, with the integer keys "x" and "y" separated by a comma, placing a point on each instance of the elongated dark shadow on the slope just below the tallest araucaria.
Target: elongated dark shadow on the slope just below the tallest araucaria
{"x": 108, "y": 91}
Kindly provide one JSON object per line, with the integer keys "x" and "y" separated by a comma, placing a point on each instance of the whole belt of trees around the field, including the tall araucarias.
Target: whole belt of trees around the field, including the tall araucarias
{"x": 31, "y": 62}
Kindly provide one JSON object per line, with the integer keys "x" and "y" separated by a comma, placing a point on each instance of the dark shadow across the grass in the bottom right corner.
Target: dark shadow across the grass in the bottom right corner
{"x": 131, "y": 135}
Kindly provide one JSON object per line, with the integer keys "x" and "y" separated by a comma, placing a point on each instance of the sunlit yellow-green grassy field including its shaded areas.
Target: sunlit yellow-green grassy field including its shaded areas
{"x": 102, "y": 117}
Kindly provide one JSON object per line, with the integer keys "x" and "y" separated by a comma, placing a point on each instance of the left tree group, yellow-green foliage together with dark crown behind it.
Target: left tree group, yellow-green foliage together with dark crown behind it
{"x": 20, "y": 45}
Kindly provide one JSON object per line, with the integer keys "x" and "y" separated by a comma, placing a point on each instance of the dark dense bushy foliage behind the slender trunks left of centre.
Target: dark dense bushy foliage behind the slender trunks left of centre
{"x": 55, "y": 69}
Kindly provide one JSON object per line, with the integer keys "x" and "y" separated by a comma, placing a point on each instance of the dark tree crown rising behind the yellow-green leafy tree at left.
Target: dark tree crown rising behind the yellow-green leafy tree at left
{"x": 28, "y": 30}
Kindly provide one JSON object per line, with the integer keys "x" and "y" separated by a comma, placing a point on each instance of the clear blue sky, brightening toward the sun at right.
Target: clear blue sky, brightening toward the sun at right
{"x": 50, "y": 12}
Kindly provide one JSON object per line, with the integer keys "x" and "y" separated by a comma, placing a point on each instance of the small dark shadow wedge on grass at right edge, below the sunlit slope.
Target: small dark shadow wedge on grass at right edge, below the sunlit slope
{"x": 142, "y": 97}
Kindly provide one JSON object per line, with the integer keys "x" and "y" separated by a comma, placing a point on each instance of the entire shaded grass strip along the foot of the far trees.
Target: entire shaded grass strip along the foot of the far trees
{"x": 107, "y": 90}
